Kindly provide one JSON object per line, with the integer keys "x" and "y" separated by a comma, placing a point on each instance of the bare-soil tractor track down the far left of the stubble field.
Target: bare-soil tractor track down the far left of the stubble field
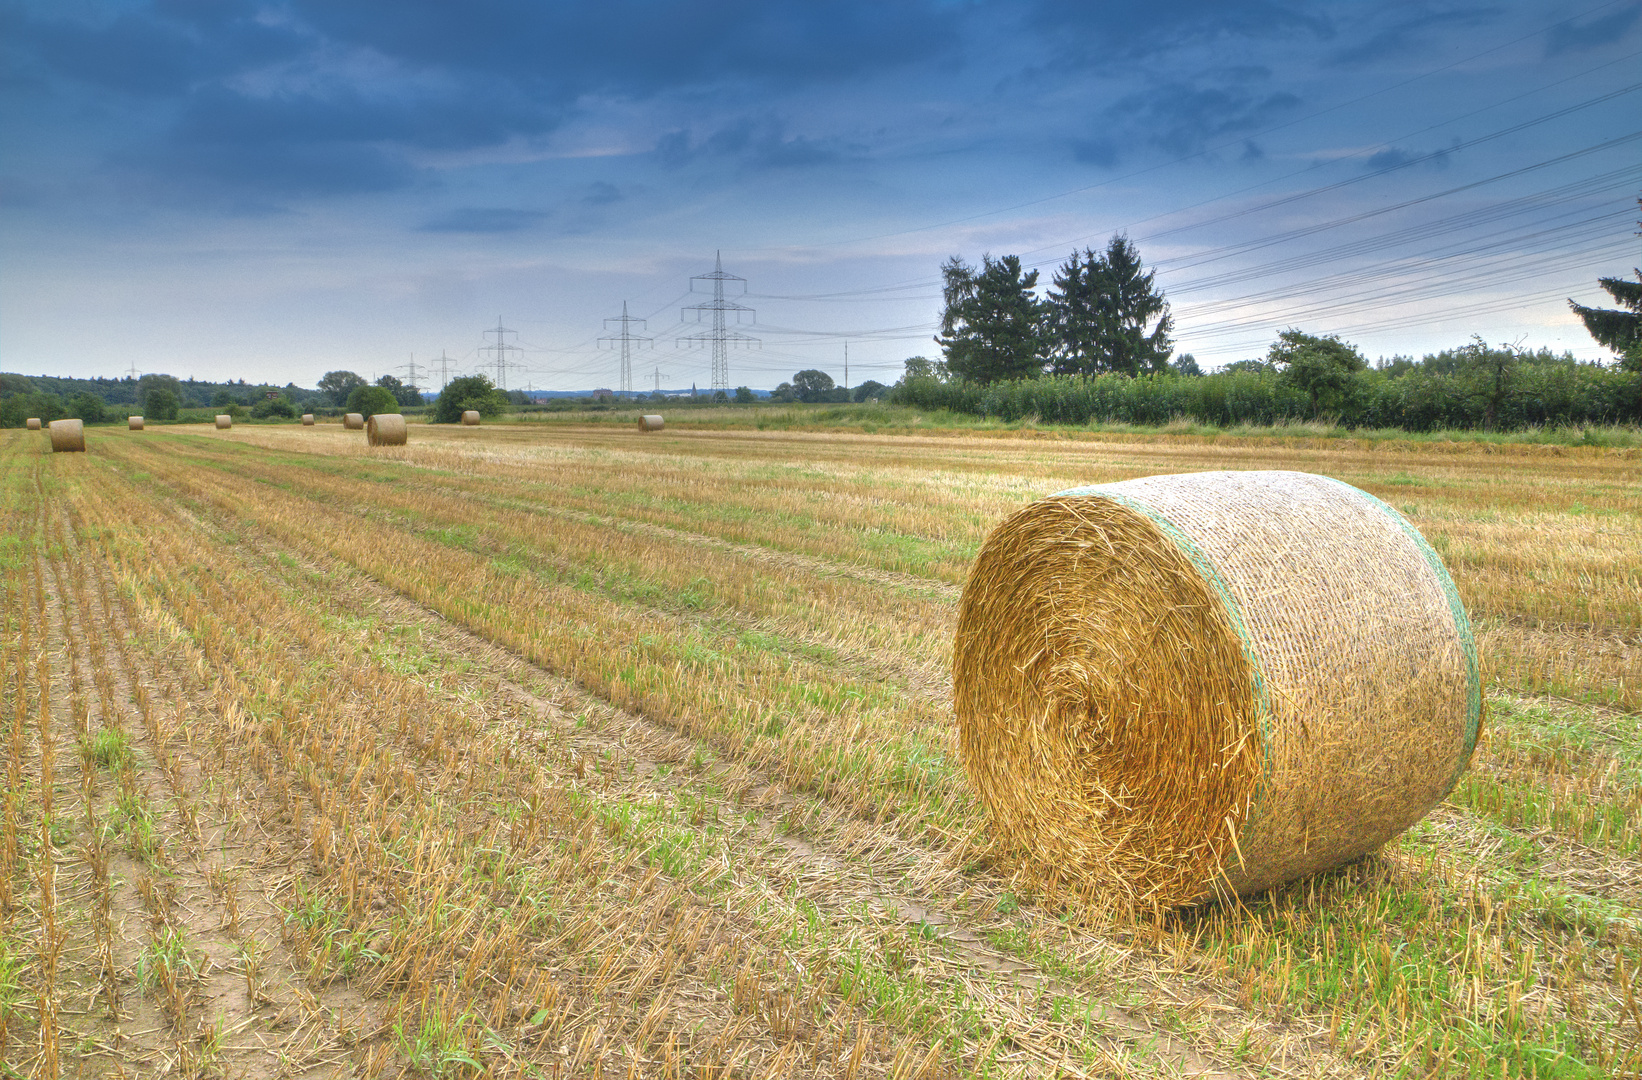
{"x": 242, "y": 1007}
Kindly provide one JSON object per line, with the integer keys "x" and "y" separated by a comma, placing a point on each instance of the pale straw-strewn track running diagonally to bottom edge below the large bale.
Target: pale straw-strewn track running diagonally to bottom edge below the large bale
{"x": 855, "y": 858}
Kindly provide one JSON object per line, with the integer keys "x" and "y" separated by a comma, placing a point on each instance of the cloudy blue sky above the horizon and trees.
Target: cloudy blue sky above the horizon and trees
{"x": 226, "y": 188}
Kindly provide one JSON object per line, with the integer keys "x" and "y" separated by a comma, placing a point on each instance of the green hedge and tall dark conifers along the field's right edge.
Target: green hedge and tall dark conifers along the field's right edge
{"x": 1096, "y": 347}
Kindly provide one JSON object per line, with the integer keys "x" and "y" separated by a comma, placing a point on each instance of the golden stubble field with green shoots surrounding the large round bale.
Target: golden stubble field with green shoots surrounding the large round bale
{"x": 549, "y": 751}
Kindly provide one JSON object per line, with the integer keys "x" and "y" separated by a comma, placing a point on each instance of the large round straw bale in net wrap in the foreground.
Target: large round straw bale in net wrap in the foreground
{"x": 1181, "y": 687}
